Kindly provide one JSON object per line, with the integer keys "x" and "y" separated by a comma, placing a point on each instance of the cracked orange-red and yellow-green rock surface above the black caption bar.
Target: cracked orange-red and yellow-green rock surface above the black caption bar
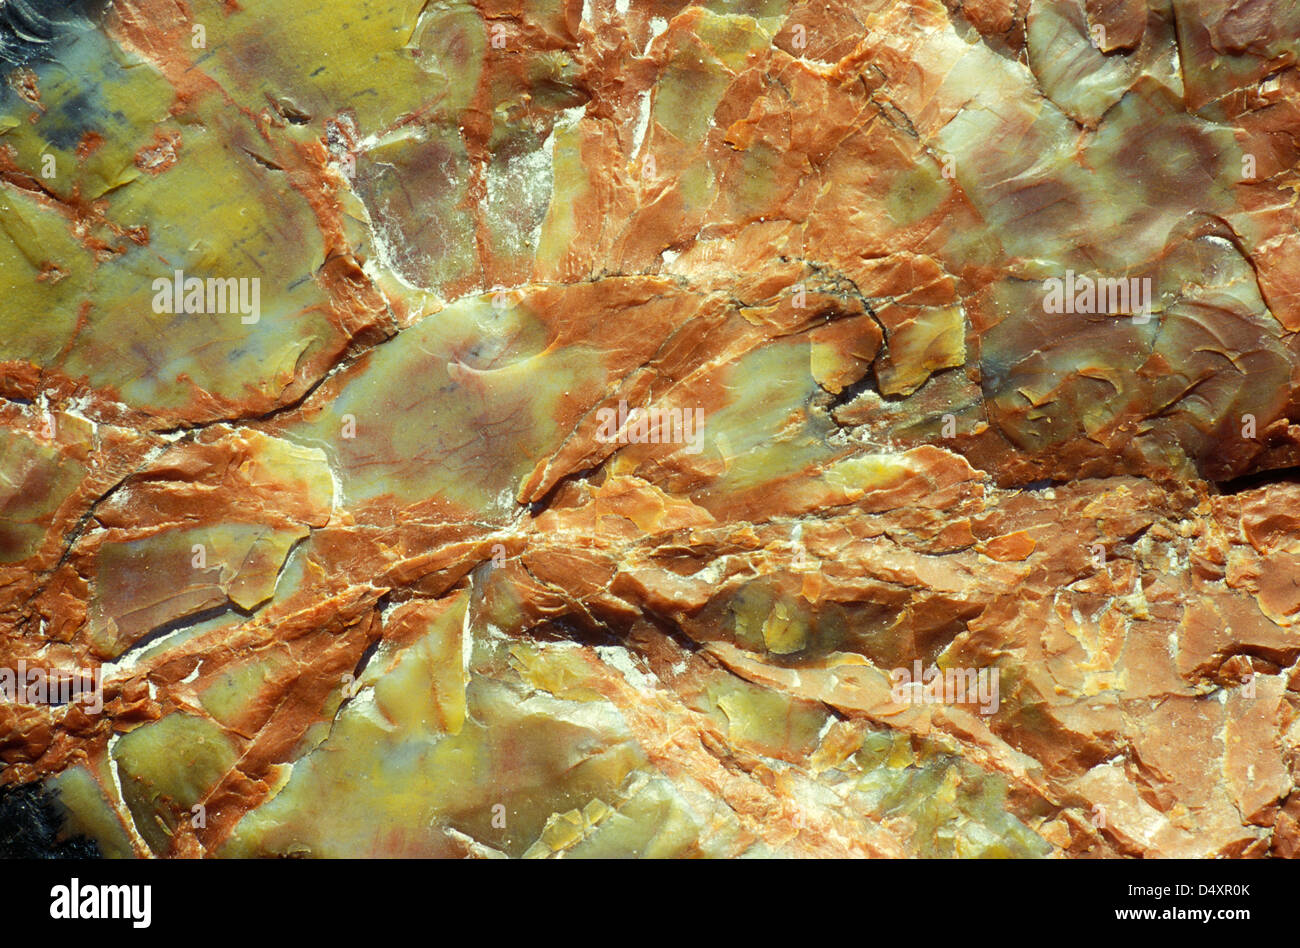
{"x": 558, "y": 428}
